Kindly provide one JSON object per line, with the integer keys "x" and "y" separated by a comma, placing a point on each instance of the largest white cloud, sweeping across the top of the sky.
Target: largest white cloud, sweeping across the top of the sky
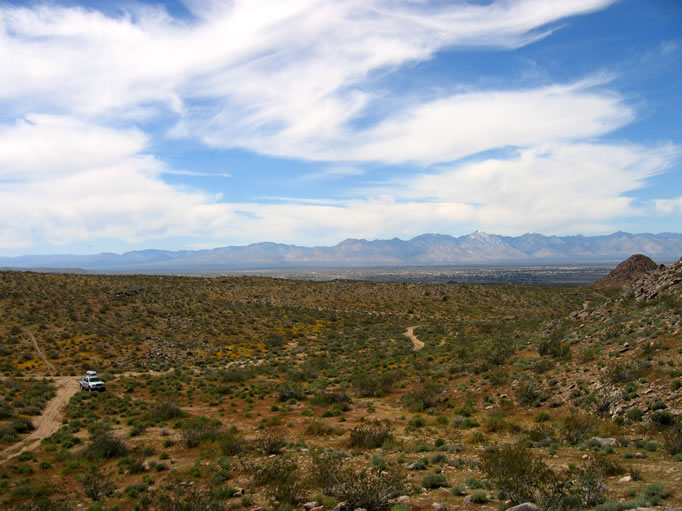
{"x": 271, "y": 76}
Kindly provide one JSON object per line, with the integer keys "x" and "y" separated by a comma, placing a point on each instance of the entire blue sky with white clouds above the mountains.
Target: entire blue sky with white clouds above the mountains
{"x": 203, "y": 123}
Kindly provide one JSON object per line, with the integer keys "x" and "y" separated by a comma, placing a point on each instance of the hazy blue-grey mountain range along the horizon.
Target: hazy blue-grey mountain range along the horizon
{"x": 478, "y": 248}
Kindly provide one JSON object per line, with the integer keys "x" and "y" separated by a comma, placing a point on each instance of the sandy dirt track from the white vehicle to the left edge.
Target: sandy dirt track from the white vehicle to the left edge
{"x": 48, "y": 422}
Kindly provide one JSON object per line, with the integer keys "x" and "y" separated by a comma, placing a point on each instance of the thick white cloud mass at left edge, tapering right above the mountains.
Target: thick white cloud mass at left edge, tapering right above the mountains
{"x": 66, "y": 181}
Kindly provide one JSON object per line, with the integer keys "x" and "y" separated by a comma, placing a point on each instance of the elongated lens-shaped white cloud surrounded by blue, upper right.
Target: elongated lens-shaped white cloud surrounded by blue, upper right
{"x": 457, "y": 126}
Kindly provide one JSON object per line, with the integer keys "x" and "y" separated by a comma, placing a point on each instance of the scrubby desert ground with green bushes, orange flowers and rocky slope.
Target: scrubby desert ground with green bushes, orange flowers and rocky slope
{"x": 260, "y": 393}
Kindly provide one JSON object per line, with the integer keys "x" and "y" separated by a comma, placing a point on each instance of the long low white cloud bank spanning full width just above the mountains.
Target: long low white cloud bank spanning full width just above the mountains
{"x": 554, "y": 188}
